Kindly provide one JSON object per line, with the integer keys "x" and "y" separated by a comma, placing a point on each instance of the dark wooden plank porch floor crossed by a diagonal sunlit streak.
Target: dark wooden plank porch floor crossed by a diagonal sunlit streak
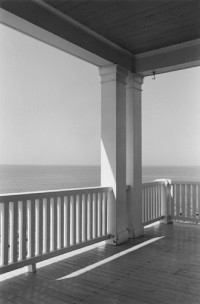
{"x": 165, "y": 271}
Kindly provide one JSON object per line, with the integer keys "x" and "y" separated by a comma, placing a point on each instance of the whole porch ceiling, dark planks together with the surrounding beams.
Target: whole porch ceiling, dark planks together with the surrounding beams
{"x": 139, "y": 35}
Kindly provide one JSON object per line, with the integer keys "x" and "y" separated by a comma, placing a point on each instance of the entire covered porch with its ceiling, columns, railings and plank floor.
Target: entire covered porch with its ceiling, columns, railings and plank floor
{"x": 39, "y": 226}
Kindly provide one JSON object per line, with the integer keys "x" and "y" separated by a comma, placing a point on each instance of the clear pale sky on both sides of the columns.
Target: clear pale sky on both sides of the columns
{"x": 50, "y": 109}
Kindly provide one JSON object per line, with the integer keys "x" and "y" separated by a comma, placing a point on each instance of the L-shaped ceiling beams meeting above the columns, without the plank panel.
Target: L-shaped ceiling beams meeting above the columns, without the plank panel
{"x": 39, "y": 20}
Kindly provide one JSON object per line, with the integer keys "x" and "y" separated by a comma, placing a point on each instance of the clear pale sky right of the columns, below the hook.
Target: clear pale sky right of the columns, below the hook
{"x": 171, "y": 119}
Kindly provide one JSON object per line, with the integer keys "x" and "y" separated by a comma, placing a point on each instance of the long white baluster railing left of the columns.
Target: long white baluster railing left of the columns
{"x": 40, "y": 225}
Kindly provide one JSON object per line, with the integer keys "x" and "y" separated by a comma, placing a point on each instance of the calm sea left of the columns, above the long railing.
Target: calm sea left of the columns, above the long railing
{"x": 17, "y": 178}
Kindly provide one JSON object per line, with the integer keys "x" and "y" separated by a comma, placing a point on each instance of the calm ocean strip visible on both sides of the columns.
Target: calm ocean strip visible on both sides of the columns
{"x": 17, "y": 178}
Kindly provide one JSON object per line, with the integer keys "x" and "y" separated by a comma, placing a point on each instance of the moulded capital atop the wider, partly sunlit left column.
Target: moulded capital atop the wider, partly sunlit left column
{"x": 113, "y": 73}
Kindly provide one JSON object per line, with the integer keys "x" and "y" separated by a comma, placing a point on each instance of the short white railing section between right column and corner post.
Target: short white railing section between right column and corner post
{"x": 153, "y": 202}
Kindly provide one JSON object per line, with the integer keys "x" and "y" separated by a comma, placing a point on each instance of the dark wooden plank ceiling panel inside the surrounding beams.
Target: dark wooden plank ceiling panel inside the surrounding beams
{"x": 137, "y": 25}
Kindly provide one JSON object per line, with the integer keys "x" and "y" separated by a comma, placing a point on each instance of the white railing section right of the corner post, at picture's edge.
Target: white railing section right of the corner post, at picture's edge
{"x": 185, "y": 201}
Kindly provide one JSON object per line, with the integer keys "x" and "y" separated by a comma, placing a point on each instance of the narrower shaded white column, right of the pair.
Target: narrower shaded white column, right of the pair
{"x": 134, "y": 154}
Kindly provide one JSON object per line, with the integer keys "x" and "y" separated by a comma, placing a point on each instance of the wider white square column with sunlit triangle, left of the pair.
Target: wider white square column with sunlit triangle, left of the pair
{"x": 113, "y": 147}
